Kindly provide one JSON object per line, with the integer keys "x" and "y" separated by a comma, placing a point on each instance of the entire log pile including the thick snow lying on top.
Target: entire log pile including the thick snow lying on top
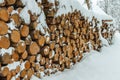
{"x": 42, "y": 37}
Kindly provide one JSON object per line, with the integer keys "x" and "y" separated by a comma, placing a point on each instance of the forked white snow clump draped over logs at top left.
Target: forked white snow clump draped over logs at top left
{"x": 29, "y": 5}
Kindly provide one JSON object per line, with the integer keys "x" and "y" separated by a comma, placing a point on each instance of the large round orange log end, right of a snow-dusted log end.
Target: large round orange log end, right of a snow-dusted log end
{"x": 34, "y": 48}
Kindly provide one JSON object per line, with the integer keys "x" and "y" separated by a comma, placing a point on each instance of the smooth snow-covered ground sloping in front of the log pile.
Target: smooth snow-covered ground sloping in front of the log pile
{"x": 104, "y": 65}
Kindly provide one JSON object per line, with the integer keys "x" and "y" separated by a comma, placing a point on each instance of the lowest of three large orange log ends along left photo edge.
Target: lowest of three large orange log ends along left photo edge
{"x": 4, "y": 42}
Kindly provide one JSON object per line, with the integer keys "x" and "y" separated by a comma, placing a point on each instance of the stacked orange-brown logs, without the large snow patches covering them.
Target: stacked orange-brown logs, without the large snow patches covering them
{"x": 71, "y": 35}
